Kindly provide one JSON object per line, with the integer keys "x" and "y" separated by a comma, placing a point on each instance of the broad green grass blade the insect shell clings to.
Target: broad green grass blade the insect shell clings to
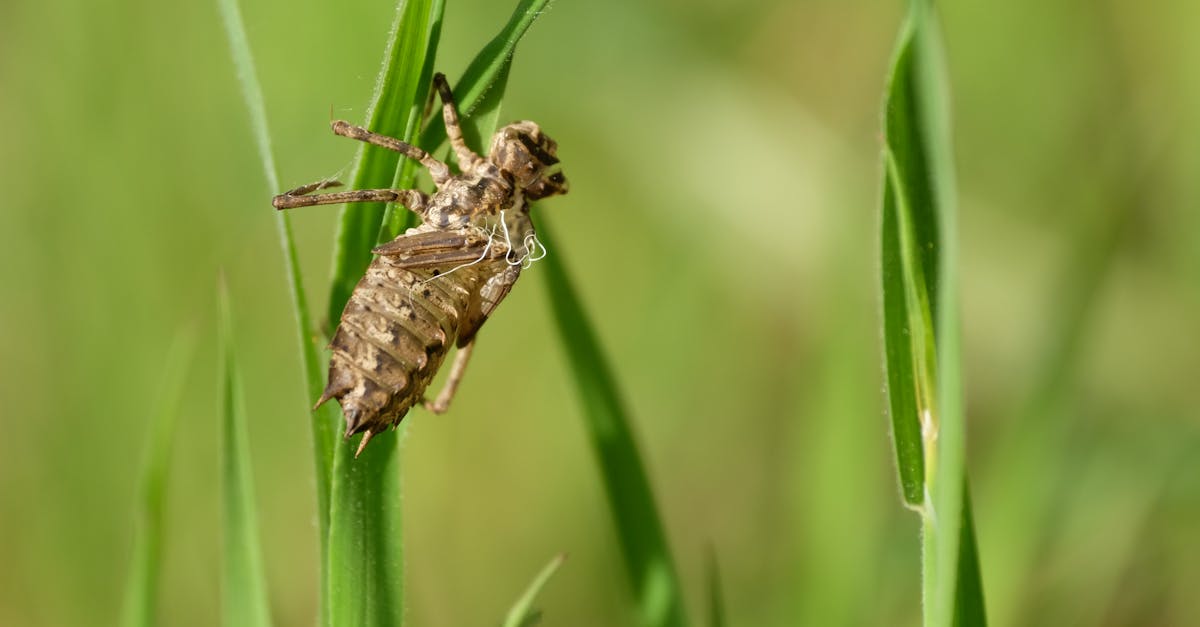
{"x": 365, "y": 552}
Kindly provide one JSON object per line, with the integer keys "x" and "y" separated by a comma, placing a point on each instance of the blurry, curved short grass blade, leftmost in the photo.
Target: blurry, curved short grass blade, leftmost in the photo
{"x": 142, "y": 589}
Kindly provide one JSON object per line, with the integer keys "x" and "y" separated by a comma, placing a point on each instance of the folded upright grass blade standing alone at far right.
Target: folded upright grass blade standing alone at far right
{"x": 921, "y": 325}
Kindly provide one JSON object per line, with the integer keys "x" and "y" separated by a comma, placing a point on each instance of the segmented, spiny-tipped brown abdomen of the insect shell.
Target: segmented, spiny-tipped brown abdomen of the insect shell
{"x": 395, "y": 332}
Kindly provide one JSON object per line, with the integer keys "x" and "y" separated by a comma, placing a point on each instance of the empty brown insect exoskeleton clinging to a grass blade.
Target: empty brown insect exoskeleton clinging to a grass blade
{"x": 439, "y": 283}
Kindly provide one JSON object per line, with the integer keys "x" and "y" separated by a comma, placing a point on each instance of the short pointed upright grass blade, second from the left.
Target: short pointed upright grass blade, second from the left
{"x": 243, "y": 584}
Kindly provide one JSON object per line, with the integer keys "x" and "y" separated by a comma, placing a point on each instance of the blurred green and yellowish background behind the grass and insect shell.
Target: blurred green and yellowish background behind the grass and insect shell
{"x": 724, "y": 166}
